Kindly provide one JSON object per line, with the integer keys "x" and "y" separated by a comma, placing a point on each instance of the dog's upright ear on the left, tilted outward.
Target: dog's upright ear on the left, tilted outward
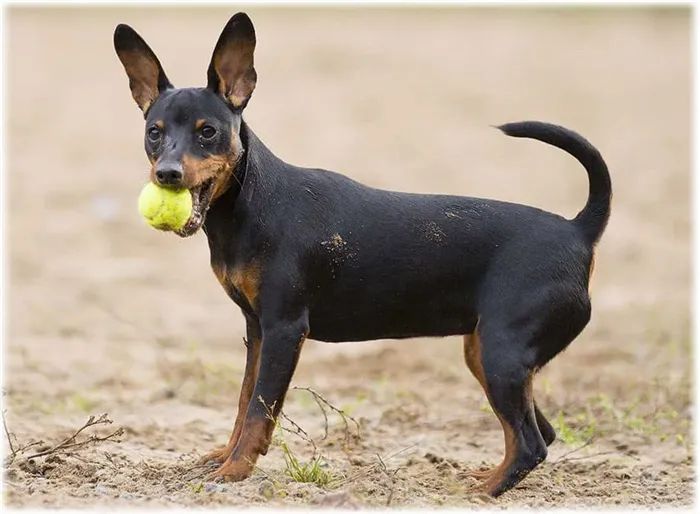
{"x": 146, "y": 76}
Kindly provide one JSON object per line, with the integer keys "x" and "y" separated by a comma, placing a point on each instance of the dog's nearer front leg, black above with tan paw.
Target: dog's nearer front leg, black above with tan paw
{"x": 281, "y": 345}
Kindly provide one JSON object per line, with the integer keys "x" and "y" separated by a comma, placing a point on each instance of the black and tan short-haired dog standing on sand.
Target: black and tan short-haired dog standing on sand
{"x": 308, "y": 253}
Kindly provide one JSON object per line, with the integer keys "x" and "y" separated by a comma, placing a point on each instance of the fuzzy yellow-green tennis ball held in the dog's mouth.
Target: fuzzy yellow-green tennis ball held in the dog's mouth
{"x": 165, "y": 209}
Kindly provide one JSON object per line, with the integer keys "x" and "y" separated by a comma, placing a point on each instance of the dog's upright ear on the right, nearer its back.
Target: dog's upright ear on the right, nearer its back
{"x": 231, "y": 72}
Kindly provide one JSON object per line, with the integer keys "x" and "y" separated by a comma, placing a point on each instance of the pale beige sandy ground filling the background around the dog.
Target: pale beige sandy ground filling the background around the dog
{"x": 106, "y": 315}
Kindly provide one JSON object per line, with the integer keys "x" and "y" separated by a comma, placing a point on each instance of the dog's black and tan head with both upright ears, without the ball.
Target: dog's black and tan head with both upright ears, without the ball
{"x": 192, "y": 135}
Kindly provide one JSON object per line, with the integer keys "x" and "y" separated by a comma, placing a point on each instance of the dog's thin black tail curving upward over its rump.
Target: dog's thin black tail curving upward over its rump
{"x": 593, "y": 219}
